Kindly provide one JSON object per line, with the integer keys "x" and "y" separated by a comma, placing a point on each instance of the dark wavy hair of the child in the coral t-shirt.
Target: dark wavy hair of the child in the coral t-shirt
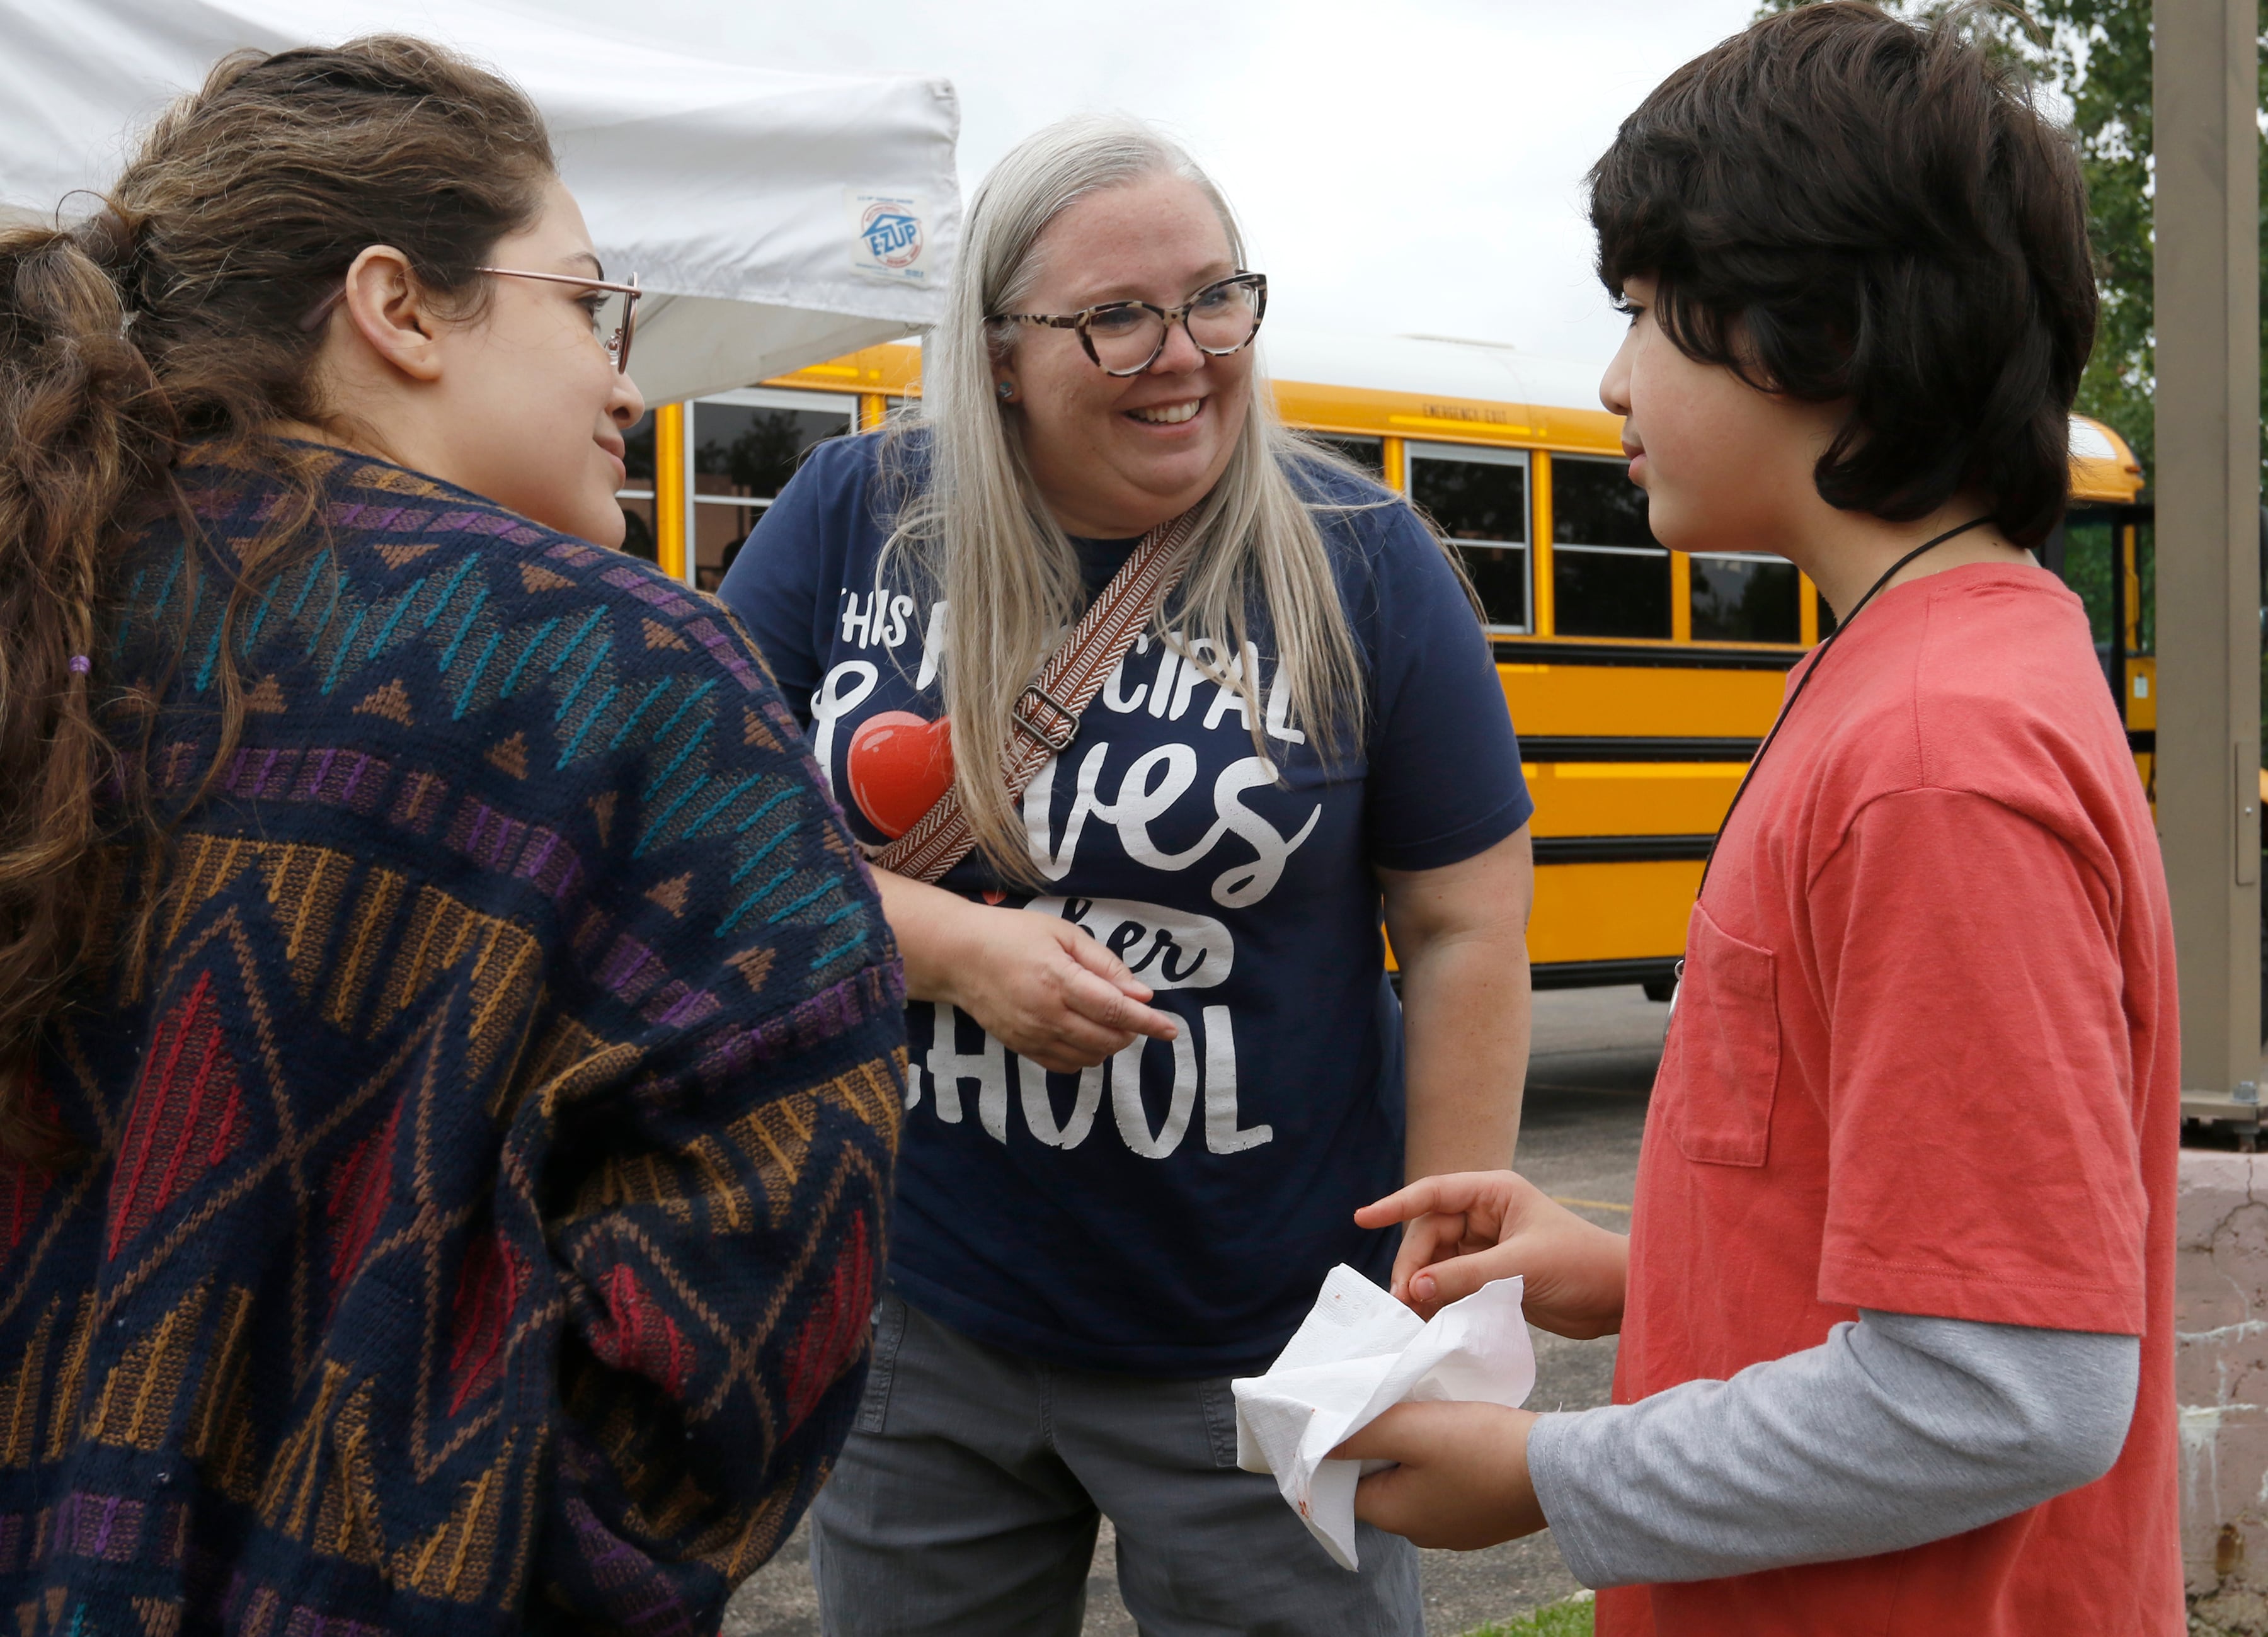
{"x": 1840, "y": 205}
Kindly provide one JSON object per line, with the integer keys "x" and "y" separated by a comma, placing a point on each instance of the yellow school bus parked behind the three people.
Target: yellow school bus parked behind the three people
{"x": 1641, "y": 679}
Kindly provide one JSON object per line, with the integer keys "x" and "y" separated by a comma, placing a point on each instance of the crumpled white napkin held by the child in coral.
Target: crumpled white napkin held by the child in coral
{"x": 1355, "y": 1357}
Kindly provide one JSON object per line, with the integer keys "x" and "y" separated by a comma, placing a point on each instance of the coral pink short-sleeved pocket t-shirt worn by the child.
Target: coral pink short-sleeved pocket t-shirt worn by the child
{"x": 1924, "y": 1060}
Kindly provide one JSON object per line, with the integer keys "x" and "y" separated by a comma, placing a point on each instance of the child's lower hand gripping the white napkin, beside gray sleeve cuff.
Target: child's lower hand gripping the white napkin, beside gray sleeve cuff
{"x": 1464, "y": 1477}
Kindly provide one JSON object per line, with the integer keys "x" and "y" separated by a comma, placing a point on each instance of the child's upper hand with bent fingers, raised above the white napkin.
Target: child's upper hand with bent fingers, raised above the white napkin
{"x": 1482, "y": 1225}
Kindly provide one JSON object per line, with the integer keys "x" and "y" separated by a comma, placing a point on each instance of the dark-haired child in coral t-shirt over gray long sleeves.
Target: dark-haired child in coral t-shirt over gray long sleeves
{"x": 1897, "y": 1305}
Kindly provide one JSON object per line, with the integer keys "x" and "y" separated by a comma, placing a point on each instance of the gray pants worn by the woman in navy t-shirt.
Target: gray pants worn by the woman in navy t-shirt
{"x": 970, "y": 1493}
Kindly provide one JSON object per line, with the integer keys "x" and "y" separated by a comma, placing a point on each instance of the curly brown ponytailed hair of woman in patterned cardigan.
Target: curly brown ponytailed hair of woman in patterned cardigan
{"x": 169, "y": 330}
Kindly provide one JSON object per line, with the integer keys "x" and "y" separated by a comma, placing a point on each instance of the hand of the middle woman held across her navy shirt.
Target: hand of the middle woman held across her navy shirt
{"x": 1038, "y": 985}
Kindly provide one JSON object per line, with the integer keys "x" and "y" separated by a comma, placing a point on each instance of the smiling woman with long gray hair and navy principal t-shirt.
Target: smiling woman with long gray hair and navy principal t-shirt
{"x": 1156, "y": 1055}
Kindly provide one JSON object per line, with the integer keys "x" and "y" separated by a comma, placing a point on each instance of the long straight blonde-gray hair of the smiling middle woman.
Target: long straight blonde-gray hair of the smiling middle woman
{"x": 976, "y": 527}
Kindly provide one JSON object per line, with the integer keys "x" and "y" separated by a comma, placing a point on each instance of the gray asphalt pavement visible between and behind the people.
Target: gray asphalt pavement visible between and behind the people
{"x": 1589, "y": 1078}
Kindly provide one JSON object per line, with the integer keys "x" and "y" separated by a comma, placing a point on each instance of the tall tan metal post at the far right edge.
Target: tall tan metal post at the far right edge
{"x": 2208, "y": 532}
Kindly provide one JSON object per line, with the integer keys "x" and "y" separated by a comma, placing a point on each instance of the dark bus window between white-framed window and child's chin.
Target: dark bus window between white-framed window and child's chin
{"x": 1609, "y": 579}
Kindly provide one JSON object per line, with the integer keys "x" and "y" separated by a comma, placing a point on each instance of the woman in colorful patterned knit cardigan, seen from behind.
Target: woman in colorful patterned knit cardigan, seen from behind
{"x": 450, "y": 1055}
